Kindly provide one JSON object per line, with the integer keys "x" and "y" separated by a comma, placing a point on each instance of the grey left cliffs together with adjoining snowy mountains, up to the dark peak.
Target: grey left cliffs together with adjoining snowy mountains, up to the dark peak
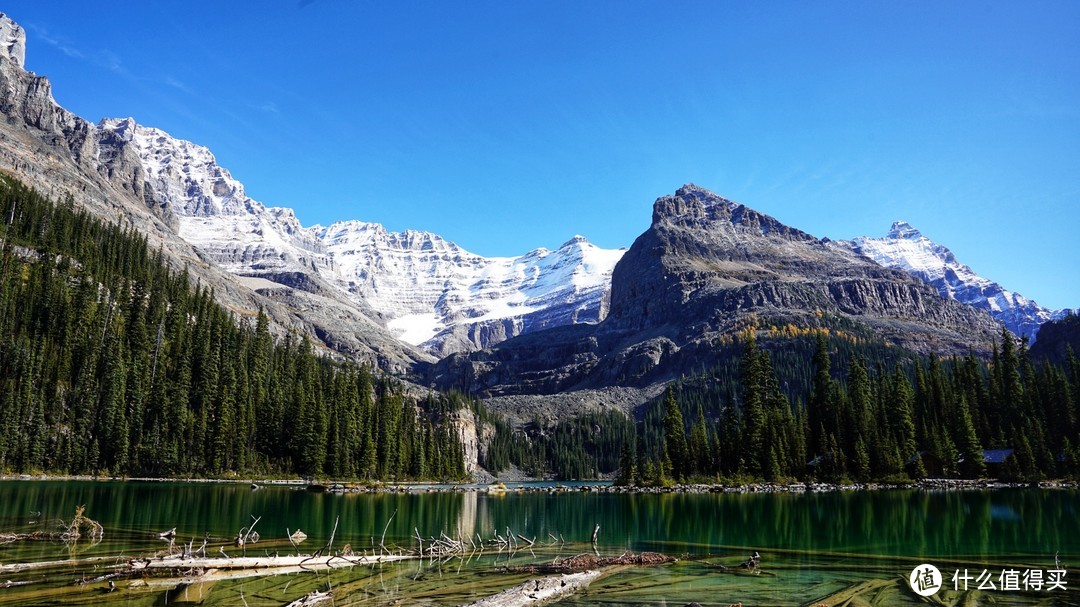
{"x": 425, "y": 290}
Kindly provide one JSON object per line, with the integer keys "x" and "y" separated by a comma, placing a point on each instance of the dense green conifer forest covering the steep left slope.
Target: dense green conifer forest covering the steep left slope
{"x": 113, "y": 363}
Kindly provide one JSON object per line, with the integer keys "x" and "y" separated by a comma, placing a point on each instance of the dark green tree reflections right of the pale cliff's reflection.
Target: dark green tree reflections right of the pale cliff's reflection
{"x": 907, "y": 523}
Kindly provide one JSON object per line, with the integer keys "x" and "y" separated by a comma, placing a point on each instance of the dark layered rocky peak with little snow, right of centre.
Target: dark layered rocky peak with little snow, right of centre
{"x": 712, "y": 260}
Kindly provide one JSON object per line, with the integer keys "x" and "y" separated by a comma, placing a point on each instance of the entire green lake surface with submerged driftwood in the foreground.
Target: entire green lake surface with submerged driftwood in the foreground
{"x": 813, "y": 545}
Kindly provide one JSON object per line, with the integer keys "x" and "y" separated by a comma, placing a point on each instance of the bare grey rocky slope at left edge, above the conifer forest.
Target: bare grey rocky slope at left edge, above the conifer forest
{"x": 61, "y": 154}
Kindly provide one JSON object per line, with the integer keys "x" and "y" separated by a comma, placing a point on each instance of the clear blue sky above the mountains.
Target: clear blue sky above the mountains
{"x": 511, "y": 126}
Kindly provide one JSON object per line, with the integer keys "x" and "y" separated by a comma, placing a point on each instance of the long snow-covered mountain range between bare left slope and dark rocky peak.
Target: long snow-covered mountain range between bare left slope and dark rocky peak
{"x": 430, "y": 292}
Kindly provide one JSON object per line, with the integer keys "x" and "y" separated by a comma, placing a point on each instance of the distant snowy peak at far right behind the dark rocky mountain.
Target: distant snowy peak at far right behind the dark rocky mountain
{"x": 907, "y": 249}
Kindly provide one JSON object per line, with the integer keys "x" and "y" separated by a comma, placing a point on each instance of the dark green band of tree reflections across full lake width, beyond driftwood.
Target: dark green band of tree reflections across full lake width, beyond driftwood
{"x": 908, "y": 523}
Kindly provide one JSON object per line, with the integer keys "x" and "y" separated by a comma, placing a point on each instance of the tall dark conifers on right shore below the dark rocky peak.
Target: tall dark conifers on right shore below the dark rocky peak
{"x": 890, "y": 417}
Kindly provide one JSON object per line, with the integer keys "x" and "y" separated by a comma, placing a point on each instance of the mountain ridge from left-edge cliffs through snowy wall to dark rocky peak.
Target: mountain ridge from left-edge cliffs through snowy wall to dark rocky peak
{"x": 628, "y": 319}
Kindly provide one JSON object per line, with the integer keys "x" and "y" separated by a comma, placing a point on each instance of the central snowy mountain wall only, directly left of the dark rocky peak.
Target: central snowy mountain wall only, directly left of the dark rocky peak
{"x": 448, "y": 300}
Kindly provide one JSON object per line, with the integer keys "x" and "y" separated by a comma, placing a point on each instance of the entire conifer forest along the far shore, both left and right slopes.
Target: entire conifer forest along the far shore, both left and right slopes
{"x": 113, "y": 363}
